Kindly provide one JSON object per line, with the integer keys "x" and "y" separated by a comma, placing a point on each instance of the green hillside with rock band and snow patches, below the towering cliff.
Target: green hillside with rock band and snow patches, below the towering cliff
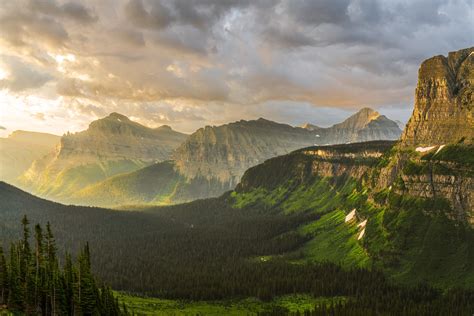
{"x": 362, "y": 224}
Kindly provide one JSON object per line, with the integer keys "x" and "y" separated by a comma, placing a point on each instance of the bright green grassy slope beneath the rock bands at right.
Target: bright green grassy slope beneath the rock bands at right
{"x": 410, "y": 238}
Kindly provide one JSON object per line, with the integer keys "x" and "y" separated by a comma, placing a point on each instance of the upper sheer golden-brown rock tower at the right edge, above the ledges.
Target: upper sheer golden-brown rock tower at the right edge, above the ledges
{"x": 444, "y": 101}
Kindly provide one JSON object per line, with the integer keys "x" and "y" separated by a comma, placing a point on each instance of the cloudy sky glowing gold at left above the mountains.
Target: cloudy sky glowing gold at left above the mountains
{"x": 189, "y": 63}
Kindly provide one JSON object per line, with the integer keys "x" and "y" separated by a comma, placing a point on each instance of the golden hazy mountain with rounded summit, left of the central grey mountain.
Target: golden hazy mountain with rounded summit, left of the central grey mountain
{"x": 110, "y": 146}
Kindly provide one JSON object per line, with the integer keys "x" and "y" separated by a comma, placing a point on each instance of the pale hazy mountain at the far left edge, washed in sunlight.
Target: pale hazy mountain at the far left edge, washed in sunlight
{"x": 20, "y": 149}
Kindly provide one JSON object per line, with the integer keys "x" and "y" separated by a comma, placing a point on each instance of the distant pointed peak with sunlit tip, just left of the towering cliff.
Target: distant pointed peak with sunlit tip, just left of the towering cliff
{"x": 365, "y": 125}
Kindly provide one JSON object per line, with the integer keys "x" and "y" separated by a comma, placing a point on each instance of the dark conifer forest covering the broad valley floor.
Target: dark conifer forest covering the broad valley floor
{"x": 206, "y": 250}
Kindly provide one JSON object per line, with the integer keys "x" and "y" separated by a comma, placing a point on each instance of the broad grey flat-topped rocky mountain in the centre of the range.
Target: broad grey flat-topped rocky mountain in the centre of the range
{"x": 225, "y": 152}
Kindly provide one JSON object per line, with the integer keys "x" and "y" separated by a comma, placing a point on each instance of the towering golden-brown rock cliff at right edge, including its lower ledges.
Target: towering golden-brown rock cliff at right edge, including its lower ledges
{"x": 443, "y": 114}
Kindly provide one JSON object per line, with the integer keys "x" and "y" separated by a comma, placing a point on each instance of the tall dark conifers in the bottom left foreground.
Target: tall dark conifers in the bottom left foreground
{"x": 32, "y": 280}
